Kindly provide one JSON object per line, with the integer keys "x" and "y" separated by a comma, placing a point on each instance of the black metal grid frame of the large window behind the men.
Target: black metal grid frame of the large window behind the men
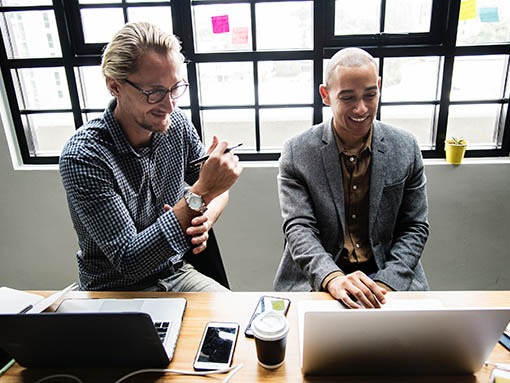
{"x": 440, "y": 41}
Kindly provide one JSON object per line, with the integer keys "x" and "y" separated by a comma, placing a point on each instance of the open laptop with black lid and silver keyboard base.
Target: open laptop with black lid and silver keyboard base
{"x": 96, "y": 333}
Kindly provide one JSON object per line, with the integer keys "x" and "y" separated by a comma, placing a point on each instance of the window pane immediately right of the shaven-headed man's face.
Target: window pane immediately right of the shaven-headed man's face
{"x": 410, "y": 79}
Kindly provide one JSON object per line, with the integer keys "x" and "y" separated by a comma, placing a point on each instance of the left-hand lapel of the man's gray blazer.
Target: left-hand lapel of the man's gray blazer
{"x": 332, "y": 169}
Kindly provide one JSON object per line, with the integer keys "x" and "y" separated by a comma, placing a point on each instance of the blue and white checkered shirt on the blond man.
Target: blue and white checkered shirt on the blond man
{"x": 116, "y": 195}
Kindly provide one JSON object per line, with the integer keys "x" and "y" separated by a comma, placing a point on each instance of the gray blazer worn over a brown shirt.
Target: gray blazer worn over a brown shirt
{"x": 312, "y": 203}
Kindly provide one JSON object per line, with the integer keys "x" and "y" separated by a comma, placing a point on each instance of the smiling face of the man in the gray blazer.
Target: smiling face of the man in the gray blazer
{"x": 353, "y": 95}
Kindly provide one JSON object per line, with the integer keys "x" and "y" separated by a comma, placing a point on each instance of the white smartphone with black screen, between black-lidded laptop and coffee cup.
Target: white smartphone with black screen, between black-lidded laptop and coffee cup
{"x": 216, "y": 349}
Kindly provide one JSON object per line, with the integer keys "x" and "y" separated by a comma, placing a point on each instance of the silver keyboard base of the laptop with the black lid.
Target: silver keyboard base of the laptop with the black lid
{"x": 166, "y": 313}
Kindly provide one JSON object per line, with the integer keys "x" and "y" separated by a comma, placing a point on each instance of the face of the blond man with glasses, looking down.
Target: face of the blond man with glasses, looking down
{"x": 137, "y": 117}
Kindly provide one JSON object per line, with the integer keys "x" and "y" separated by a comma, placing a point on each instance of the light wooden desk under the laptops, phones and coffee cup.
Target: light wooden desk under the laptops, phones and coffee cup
{"x": 238, "y": 306}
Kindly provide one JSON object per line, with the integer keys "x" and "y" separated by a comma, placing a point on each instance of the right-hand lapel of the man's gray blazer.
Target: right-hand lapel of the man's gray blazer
{"x": 378, "y": 174}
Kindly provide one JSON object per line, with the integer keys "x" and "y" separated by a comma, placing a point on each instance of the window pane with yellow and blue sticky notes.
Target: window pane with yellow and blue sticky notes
{"x": 484, "y": 22}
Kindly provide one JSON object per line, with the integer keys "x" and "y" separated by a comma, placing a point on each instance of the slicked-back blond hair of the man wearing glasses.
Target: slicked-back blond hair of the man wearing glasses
{"x": 121, "y": 55}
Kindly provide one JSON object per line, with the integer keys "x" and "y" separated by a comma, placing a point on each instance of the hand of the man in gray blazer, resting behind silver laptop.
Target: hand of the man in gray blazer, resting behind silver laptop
{"x": 357, "y": 290}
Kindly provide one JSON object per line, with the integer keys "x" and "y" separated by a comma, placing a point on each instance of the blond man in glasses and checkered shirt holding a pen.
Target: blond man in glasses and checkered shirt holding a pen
{"x": 125, "y": 174}
